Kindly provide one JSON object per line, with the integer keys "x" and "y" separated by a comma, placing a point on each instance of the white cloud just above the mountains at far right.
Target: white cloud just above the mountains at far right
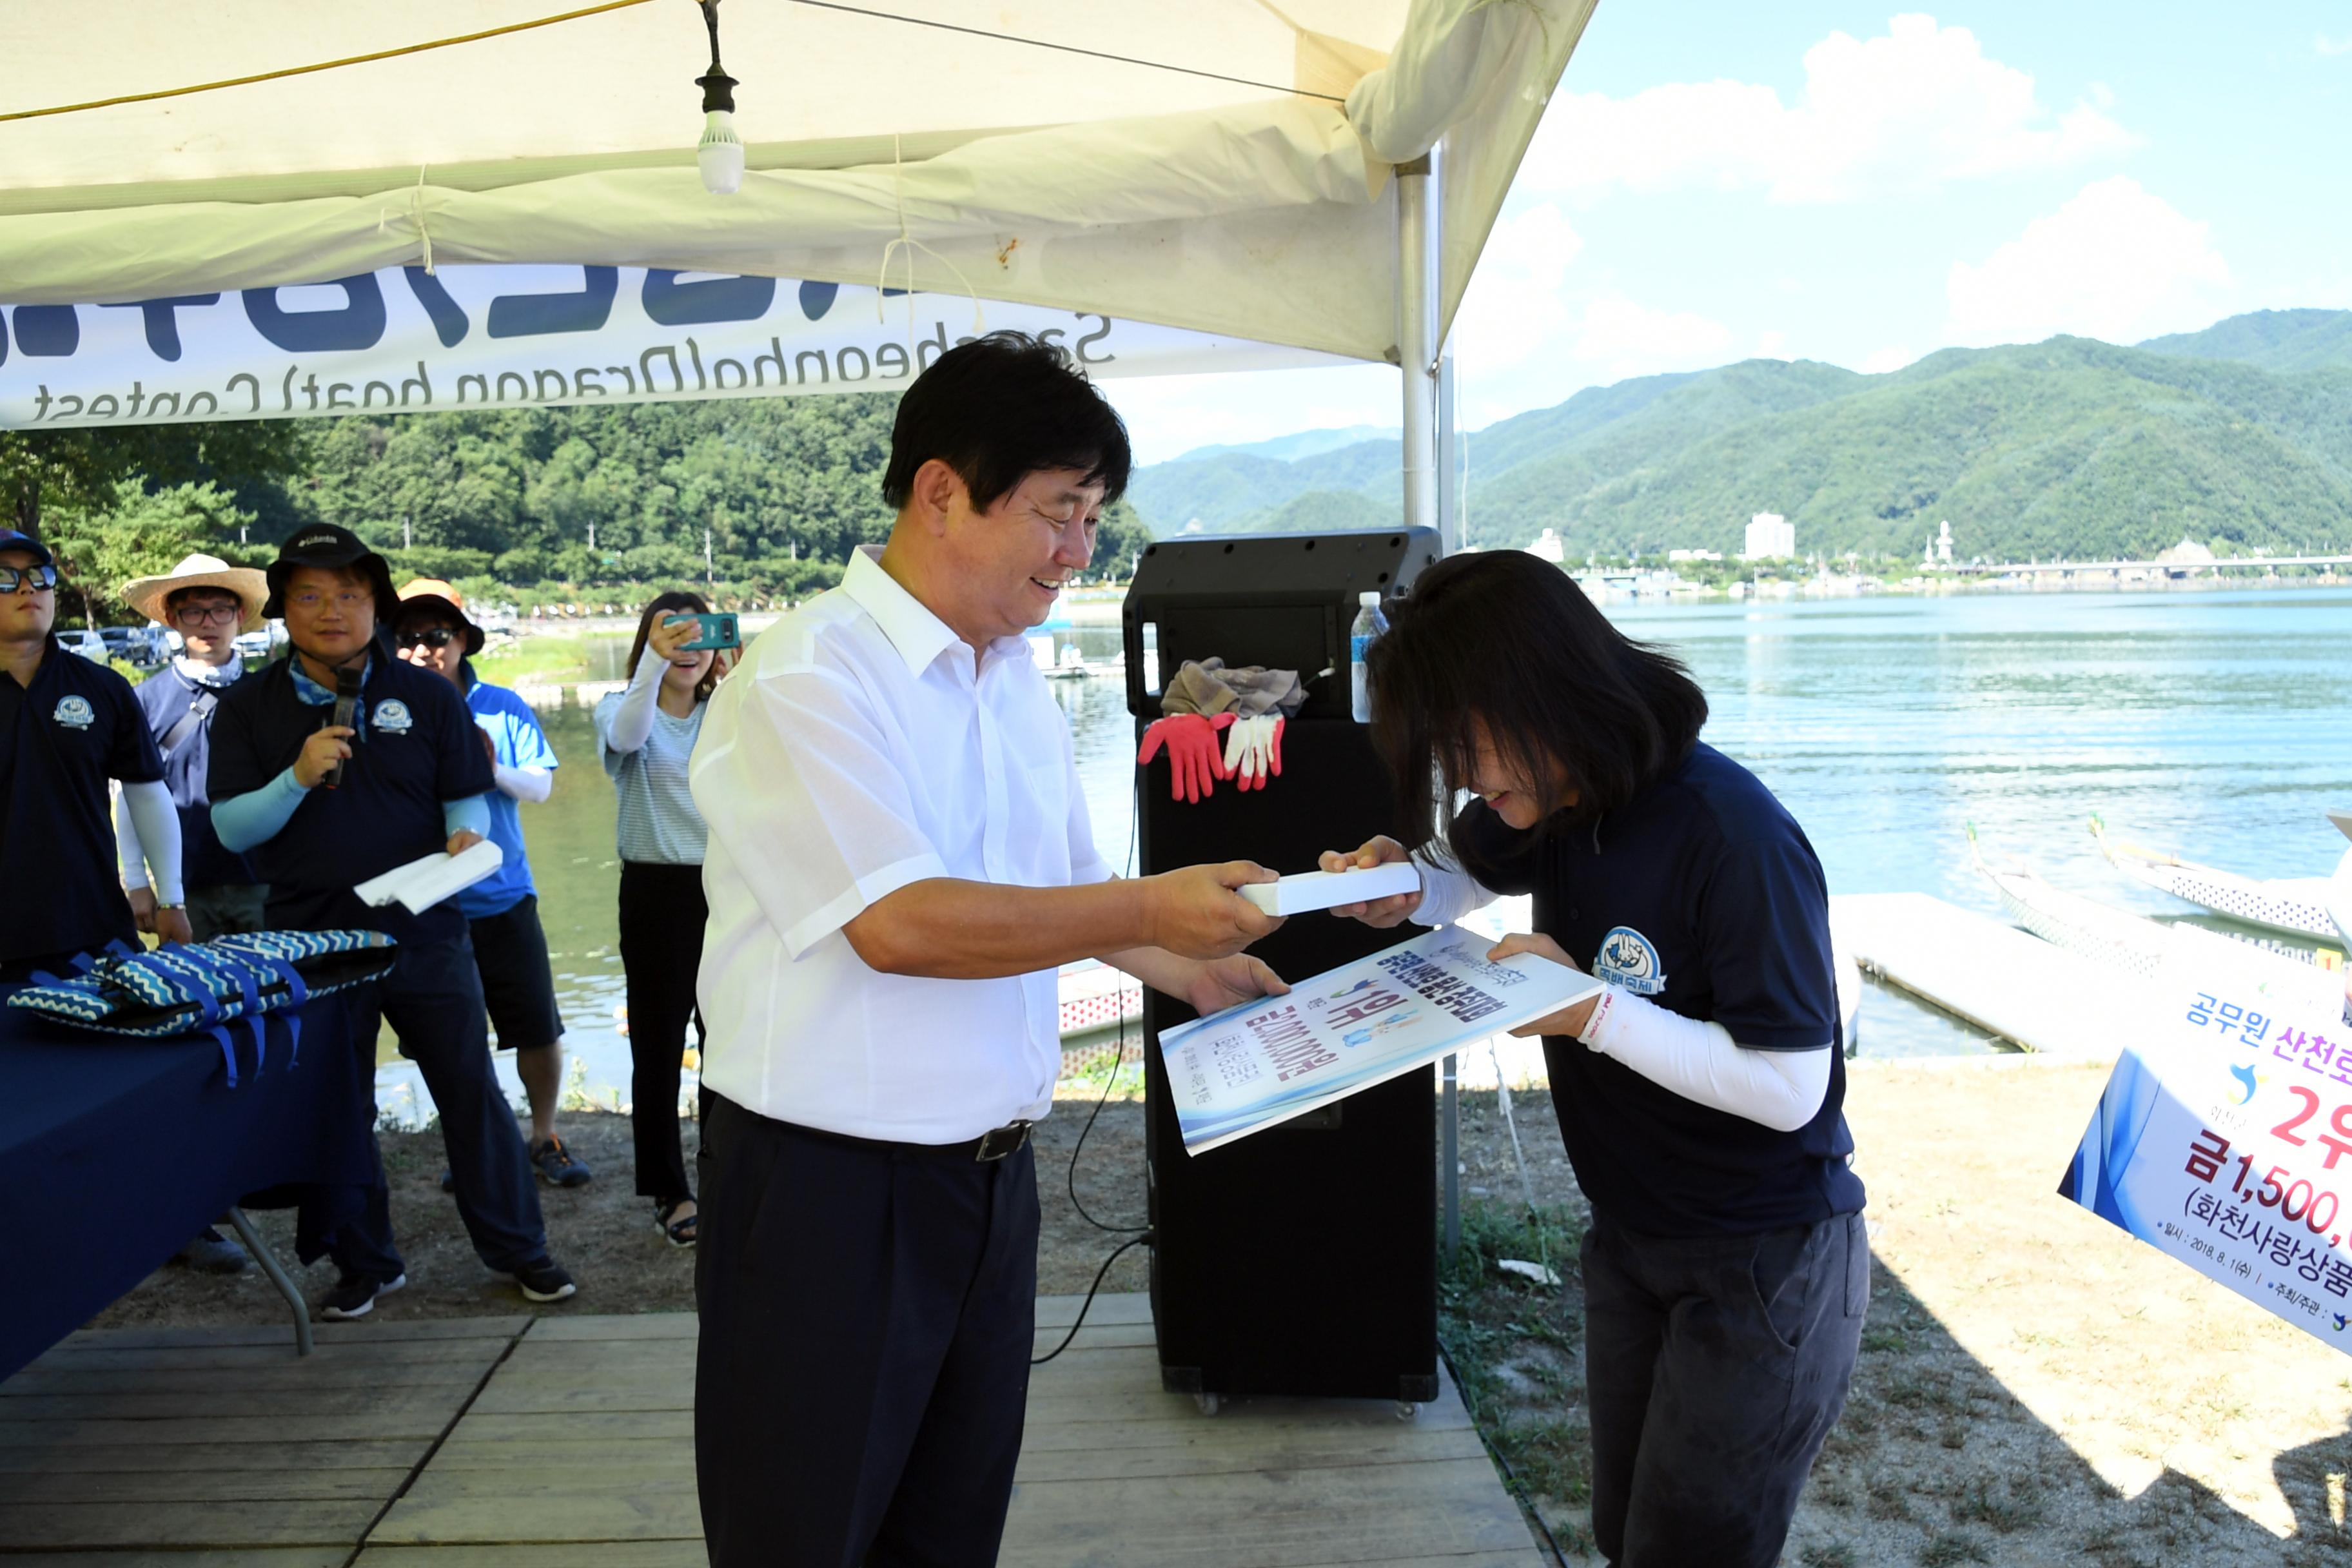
{"x": 2113, "y": 264}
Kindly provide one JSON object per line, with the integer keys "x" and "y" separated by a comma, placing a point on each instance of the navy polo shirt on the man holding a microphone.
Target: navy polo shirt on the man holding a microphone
{"x": 417, "y": 749}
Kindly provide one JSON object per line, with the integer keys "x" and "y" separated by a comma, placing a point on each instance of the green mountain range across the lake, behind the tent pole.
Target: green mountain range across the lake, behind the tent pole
{"x": 2238, "y": 436}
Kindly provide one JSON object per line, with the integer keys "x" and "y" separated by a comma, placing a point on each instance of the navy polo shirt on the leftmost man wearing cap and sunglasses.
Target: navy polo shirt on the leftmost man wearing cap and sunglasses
{"x": 60, "y": 742}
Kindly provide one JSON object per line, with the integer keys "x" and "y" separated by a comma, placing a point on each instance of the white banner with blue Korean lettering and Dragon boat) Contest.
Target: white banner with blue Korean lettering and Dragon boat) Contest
{"x": 502, "y": 337}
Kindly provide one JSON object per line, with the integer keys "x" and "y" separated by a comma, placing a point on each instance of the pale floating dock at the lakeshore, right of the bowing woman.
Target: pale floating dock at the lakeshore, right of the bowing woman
{"x": 1996, "y": 977}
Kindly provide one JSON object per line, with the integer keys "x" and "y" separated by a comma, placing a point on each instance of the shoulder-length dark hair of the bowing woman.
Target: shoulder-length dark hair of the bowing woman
{"x": 1504, "y": 641}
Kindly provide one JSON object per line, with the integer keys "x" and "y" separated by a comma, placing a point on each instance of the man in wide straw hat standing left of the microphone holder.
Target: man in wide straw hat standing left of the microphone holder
{"x": 208, "y": 603}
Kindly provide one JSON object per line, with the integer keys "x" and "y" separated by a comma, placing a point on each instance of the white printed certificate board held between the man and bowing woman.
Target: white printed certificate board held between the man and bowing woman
{"x": 1351, "y": 1028}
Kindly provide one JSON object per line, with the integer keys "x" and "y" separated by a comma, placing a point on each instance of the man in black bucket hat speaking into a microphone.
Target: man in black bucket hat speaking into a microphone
{"x": 326, "y": 805}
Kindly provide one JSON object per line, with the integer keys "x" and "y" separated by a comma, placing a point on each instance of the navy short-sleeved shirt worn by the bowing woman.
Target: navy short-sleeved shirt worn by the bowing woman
{"x": 1704, "y": 897}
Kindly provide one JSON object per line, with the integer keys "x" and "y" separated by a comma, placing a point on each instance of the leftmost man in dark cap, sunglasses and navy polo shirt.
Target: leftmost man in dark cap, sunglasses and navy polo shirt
{"x": 69, "y": 725}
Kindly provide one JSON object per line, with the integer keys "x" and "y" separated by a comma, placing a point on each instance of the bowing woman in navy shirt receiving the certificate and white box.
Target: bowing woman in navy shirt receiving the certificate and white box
{"x": 1702, "y": 1092}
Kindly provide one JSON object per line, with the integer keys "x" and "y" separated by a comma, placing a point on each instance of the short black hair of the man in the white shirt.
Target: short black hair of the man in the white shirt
{"x": 1003, "y": 408}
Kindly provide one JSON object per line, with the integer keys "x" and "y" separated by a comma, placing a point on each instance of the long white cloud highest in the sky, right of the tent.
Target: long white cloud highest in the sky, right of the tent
{"x": 1895, "y": 114}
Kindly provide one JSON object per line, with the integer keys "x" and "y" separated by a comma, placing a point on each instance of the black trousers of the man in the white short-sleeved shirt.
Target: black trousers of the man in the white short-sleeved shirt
{"x": 867, "y": 1329}
